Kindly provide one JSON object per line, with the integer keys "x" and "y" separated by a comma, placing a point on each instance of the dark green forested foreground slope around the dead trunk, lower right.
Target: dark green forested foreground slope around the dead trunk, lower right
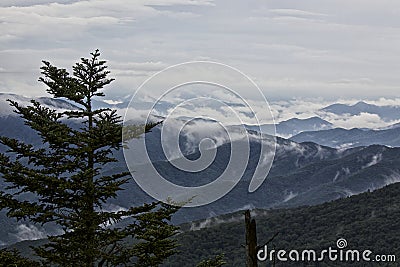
{"x": 368, "y": 221}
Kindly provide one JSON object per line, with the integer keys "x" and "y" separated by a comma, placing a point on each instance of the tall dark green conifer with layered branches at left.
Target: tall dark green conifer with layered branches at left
{"x": 65, "y": 177}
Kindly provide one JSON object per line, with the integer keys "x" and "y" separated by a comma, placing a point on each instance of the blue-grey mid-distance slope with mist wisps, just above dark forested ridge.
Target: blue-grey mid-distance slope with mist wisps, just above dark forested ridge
{"x": 302, "y": 174}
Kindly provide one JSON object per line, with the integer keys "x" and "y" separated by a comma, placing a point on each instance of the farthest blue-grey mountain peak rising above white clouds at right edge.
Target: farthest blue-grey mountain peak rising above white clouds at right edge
{"x": 387, "y": 113}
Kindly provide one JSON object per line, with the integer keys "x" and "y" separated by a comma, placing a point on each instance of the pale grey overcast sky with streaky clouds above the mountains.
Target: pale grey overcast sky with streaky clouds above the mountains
{"x": 309, "y": 48}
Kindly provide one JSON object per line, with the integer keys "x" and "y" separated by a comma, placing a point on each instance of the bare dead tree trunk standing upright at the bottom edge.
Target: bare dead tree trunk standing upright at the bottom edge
{"x": 251, "y": 240}
